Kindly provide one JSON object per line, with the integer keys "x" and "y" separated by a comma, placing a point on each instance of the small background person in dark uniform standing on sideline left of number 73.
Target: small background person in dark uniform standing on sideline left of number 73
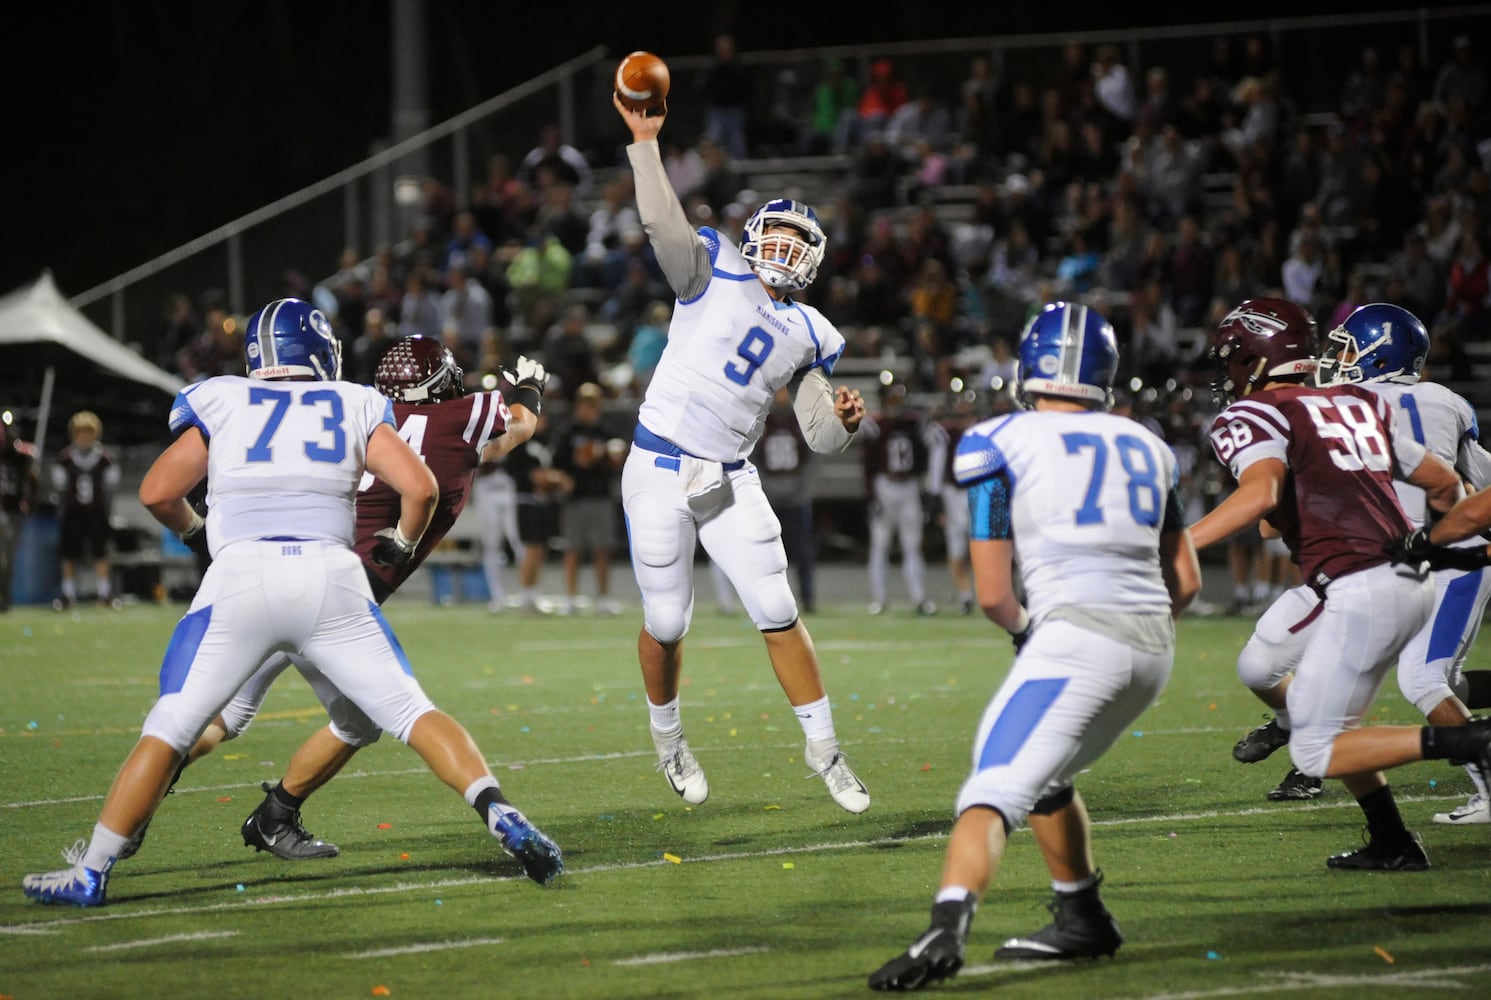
{"x": 86, "y": 476}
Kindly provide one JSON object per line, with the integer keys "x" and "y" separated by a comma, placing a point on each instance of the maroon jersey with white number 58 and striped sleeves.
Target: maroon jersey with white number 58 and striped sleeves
{"x": 1338, "y": 509}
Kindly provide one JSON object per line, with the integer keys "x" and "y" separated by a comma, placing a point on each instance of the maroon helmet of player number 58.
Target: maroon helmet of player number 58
{"x": 1262, "y": 341}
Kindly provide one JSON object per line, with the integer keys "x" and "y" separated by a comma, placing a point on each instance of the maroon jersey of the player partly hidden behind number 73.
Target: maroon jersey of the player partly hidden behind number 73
{"x": 450, "y": 436}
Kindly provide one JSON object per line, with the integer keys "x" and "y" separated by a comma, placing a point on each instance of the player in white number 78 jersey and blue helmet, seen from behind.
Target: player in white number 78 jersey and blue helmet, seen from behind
{"x": 1086, "y": 501}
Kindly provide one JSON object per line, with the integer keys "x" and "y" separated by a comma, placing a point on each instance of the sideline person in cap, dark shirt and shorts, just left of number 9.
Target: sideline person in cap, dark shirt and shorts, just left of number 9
{"x": 591, "y": 458}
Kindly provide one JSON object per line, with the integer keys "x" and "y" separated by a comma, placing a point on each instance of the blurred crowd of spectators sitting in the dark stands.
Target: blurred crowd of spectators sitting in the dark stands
{"x": 1161, "y": 199}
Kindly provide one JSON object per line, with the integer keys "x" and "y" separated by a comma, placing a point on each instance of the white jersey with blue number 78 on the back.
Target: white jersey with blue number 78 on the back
{"x": 1089, "y": 496}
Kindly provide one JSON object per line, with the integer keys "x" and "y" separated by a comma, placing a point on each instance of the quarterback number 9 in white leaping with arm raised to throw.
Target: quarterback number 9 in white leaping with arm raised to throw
{"x": 736, "y": 338}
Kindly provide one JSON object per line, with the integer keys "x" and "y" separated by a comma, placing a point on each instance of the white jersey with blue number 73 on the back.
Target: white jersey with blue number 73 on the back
{"x": 269, "y": 442}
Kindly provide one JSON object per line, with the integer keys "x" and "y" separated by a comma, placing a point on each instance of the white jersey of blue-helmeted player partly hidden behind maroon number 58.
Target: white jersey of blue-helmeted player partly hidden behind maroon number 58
{"x": 1446, "y": 424}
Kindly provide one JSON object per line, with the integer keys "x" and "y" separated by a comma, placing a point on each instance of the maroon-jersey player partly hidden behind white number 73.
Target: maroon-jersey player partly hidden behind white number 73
{"x": 453, "y": 433}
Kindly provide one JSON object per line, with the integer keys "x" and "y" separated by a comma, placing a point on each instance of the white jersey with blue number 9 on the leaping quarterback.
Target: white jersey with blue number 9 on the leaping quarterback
{"x": 730, "y": 349}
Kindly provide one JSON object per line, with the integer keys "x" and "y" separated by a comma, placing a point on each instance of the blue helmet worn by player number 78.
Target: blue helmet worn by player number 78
{"x": 1070, "y": 352}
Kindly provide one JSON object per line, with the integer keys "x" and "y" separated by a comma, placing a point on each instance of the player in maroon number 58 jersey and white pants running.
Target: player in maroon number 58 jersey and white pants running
{"x": 1319, "y": 464}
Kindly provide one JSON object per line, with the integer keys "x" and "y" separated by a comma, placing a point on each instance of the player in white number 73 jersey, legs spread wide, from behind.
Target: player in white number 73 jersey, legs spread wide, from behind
{"x": 284, "y": 451}
